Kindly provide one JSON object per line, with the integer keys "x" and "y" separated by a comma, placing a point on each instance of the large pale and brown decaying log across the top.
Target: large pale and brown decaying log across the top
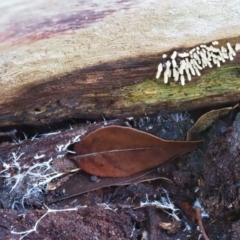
{"x": 84, "y": 59}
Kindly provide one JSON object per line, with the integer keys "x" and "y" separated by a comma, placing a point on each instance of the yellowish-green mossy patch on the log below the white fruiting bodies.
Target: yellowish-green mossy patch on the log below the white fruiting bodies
{"x": 219, "y": 81}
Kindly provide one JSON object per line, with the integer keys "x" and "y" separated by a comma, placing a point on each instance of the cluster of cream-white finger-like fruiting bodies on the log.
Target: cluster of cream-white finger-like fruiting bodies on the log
{"x": 185, "y": 64}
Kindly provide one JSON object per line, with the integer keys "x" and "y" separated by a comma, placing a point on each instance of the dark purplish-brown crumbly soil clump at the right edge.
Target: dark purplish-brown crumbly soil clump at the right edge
{"x": 221, "y": 192}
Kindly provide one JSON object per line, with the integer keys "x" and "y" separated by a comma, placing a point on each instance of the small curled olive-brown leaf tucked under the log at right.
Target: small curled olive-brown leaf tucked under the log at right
{"x": 205, "y": 121}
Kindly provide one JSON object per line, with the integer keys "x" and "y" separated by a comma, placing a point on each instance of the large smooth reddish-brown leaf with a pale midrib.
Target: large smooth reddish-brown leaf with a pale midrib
{"x": 120, "y": 151}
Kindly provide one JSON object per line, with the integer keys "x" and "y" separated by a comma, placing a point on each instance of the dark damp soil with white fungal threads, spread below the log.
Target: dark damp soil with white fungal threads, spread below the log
{"x": 210, "y": 174}
